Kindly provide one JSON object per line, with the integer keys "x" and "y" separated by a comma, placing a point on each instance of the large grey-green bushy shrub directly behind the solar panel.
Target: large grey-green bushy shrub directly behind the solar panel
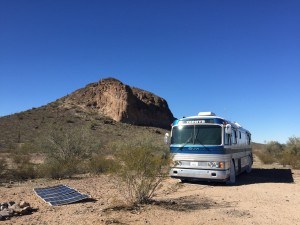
{"x": 66, "y": 150}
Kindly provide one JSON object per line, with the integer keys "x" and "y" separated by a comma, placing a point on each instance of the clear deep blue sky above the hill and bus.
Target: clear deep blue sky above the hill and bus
{"x": 239, "y": 59}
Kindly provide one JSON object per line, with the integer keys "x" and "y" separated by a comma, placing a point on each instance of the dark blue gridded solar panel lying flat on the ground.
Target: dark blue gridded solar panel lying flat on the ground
{"x": 60, "y": 195}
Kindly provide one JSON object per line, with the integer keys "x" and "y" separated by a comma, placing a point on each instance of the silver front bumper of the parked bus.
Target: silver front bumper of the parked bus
{"x": 214, "y": 175}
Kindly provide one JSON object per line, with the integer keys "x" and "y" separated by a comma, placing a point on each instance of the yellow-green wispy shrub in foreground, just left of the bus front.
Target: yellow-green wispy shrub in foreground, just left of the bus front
{"x": 141, "y": 168}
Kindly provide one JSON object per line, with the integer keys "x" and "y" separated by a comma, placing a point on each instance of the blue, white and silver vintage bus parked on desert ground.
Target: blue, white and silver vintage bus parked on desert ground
{"x": 208, "y": 147}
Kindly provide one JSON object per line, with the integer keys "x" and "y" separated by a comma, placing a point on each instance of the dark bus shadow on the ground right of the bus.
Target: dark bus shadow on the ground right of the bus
{"x": 259, "y": 175}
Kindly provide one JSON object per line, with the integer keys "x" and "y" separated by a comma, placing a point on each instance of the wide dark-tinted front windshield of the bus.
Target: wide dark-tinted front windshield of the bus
{"x": 197, "y": 135}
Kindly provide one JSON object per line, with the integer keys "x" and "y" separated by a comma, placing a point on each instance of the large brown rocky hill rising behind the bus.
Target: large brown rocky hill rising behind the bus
{"x": 110, "y": 109}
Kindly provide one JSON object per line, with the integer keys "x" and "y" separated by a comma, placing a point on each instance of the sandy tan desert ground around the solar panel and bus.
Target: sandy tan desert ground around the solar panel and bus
{"x": 268, "y": 195}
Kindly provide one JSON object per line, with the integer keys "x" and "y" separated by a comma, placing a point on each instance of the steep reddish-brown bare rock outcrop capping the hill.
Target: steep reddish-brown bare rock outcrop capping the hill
{"x": 123, "y": 103}
